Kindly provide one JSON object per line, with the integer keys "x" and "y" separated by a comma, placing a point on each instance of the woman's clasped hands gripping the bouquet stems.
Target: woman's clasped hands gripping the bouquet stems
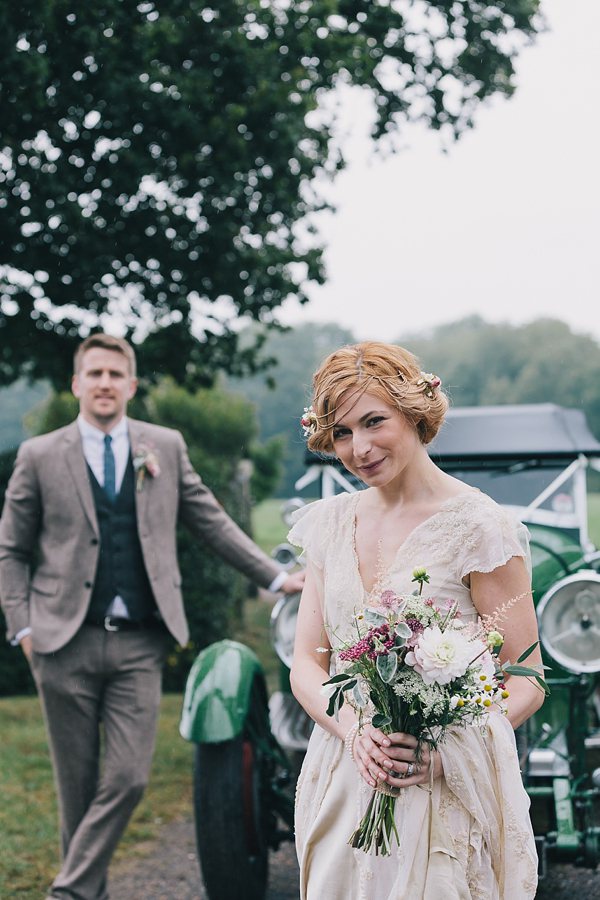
{"x": 391, "y": 758}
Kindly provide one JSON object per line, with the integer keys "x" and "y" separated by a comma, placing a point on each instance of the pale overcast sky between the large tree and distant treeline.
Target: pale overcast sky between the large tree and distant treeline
{"x": 505, "y": 225}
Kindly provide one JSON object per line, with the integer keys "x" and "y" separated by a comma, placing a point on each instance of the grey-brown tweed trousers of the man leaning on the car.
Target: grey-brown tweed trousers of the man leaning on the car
{"x": 100, "y": 696}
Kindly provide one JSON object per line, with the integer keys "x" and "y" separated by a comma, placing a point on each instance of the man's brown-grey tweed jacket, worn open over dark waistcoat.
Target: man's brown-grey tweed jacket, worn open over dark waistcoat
{"x": 49, "y": 507}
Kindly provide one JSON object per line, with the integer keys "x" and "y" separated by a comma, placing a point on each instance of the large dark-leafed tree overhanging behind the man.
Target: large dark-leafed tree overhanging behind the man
{"x": 158, "y": 157}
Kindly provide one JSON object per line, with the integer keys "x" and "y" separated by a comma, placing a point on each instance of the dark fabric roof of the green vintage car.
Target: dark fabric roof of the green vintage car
{"x": 513, "y": 432}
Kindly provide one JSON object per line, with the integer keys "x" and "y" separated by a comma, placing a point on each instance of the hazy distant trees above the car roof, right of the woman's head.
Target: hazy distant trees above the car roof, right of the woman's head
{"x": 542, "y": 362}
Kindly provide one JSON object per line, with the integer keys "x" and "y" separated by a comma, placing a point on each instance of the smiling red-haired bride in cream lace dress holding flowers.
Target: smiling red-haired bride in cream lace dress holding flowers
{"x": 470, "y": 837}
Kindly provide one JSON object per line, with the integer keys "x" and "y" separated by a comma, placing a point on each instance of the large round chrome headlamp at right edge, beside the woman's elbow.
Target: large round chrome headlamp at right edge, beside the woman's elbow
{"x": 569, "y": 622}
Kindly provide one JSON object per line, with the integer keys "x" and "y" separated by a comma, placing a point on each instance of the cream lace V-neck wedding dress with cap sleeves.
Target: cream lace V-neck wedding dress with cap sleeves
{"x": 471, "y": 839}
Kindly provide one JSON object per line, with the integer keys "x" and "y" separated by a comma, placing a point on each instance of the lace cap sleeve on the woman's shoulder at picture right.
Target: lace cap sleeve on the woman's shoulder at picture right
{"x": 492, "y": 536}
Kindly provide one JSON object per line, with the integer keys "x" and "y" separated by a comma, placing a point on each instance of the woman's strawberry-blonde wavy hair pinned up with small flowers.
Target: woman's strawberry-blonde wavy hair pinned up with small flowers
{"x": 391, "y": 373}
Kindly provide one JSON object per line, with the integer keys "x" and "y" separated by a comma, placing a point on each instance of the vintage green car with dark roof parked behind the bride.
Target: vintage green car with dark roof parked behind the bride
{"x": 533, "y": 459}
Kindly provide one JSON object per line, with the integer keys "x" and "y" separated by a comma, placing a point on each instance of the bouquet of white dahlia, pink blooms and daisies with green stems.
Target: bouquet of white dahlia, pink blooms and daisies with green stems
{"x": 418, "y": 669}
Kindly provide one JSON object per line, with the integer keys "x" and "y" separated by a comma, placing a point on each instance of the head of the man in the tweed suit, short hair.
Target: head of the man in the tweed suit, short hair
{"x": 103, "y": 384}
